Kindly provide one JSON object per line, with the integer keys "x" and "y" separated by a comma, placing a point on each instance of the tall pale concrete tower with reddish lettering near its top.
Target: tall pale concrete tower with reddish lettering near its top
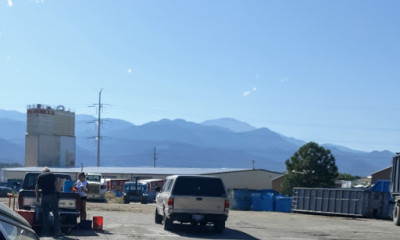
{"x": 50, "y": 137}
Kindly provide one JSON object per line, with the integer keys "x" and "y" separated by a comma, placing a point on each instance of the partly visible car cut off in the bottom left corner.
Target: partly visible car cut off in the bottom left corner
{"x": 13, "y": 226}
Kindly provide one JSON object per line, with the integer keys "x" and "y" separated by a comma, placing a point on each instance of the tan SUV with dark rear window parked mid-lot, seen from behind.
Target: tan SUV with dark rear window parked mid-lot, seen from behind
{"x": 192, "y": 199}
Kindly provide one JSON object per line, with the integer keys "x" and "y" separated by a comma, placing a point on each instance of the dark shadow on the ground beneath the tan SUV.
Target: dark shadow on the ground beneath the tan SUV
{"x": 187, "y": 230}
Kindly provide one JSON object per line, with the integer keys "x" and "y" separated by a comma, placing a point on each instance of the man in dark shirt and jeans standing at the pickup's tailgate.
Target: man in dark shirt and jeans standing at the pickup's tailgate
{"x": 47, "y": 182}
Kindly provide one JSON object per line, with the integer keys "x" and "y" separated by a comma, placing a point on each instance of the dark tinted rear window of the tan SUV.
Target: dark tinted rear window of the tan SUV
{"x": 192, "y": 186}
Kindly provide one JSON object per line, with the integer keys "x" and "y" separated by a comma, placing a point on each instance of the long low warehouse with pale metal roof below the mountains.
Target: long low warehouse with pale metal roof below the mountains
{"x": 232, "y": 177}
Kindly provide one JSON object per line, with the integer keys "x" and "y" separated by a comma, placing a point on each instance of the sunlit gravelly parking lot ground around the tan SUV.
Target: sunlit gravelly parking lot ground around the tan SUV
{"x": 136, "y": 221}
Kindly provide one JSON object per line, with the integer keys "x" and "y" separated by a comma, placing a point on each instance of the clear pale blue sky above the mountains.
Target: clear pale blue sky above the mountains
{"x": 324, "y": 71}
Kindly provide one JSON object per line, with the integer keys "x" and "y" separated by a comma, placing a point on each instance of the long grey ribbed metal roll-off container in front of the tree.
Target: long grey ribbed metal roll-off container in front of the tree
{"x": 346, "y": 202}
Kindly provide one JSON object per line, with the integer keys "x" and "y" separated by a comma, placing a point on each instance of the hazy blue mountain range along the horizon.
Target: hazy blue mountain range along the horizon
{"x": 216, "y": 143}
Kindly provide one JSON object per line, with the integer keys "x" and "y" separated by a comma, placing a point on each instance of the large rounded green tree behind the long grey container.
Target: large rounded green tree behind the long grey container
{"x": 311, "y": 166}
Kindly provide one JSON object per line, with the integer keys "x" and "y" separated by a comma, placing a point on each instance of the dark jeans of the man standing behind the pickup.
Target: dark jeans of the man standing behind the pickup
{"x": 50, "y": 203}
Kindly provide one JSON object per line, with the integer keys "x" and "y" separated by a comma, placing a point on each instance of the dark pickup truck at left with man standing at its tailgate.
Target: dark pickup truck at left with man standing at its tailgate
{"x": 69, "y": 203}
